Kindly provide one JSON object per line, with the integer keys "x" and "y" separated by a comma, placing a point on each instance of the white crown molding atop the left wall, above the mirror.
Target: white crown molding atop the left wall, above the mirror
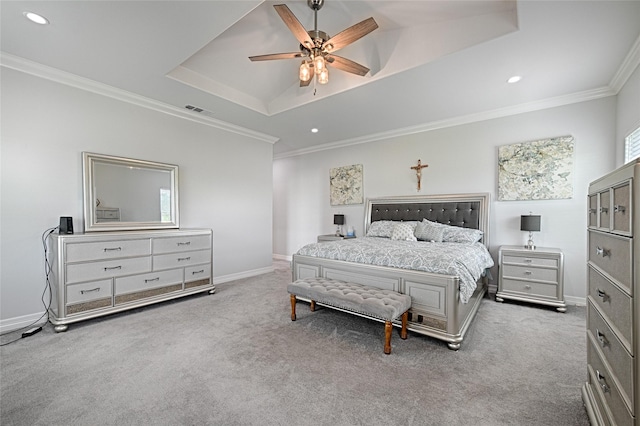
{"x": 29, "y": 67}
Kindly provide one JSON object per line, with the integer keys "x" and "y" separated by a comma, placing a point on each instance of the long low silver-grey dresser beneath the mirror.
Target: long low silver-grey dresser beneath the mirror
{"x": 100, "y": 273}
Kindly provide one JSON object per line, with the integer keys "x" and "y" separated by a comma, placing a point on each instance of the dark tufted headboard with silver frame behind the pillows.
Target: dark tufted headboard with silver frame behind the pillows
{"x": 465, "y": 210}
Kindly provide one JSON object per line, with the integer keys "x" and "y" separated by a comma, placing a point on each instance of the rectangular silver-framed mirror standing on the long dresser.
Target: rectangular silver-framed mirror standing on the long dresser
{"x": 123, "y": 194}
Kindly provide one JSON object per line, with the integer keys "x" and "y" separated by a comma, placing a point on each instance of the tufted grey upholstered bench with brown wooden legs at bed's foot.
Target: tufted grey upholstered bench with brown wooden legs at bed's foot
{"x": 361, "y": 300}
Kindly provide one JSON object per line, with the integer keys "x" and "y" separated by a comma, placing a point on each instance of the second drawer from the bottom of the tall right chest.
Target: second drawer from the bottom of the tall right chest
{"x": 620, "y": 361}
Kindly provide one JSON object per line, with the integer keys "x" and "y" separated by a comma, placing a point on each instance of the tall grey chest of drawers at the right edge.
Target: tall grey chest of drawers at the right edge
{"x": 610, "y": 394}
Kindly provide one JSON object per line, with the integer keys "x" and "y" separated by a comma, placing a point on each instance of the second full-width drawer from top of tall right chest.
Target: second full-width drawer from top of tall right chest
{"x": 614, "y": 304}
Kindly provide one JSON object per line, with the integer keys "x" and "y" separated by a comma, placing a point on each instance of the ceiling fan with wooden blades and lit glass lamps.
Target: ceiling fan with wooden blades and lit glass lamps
{"x": 317, "y": 48}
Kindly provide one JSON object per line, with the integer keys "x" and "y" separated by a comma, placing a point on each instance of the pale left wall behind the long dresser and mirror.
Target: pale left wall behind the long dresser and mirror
{"x": 225, "y": 179}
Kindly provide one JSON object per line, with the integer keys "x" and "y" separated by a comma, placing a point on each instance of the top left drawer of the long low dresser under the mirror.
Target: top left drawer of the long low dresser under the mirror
{"x": 102, "y": 250}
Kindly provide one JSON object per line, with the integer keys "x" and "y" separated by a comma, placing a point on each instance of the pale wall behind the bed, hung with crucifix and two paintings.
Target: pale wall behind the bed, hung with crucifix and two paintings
{"x": 461, "y": 159}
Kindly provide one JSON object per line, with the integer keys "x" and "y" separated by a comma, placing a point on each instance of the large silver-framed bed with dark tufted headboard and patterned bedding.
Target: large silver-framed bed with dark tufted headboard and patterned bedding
{"x": 444, "y": 301}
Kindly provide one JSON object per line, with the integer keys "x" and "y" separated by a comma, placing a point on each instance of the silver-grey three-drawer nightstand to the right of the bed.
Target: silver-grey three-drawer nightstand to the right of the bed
{"x": 535, "y": 276}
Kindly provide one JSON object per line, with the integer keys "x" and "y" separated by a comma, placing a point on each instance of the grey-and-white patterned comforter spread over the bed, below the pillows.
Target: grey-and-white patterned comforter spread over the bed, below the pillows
{"x": 466, "y": 261}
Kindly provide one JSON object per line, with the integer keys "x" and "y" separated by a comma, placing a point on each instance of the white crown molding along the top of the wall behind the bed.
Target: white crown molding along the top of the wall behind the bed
{"x": 588, "y": 95}
